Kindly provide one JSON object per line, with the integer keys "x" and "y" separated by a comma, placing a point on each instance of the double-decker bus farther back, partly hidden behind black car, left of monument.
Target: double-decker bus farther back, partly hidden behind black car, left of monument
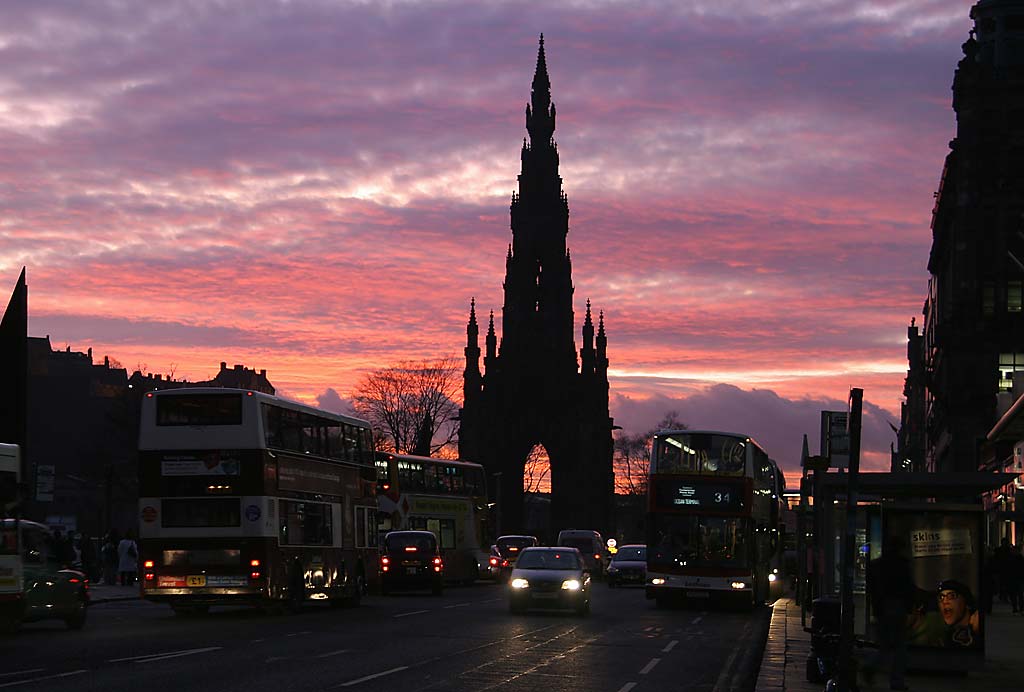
{"x": 445, "y": 497}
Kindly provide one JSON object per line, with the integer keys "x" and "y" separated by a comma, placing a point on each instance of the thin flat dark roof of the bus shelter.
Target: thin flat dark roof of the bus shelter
{"x": 937, "y": 486}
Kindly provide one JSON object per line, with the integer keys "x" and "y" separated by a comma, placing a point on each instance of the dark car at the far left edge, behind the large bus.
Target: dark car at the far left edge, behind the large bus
{"x": 34, "y": 582}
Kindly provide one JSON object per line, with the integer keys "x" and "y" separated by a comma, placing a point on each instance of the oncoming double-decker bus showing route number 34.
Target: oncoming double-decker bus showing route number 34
{"x": 714, "y": 520}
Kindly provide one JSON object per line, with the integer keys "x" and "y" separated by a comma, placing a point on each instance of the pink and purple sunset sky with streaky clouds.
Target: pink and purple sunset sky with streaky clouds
{"x": 319, "y": 189}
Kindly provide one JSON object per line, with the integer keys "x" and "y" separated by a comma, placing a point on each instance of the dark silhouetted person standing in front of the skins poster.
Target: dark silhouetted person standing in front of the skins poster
{"x": 891, "y": 590}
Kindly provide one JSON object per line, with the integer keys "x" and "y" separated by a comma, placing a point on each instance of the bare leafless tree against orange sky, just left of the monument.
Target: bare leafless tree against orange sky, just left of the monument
{"x": 412, "y": 405}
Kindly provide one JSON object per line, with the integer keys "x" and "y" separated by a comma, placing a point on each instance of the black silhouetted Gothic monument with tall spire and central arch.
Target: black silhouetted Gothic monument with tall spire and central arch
{"x": 534, "y": 391}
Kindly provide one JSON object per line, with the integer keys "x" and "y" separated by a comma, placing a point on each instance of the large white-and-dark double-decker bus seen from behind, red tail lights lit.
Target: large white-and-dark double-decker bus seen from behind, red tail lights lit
{"x": 252, "y": 499}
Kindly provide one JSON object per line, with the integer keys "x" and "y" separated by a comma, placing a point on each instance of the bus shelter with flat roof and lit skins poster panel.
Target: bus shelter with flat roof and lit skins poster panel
{"x": 940, "y": 520}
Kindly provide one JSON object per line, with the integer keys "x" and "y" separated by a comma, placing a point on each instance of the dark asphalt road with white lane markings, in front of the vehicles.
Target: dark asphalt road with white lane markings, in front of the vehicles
{"x": 465, "y": 641}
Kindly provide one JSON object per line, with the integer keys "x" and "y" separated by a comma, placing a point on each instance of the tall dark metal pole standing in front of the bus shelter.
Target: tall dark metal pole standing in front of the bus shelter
{"x": 847, "y": 675}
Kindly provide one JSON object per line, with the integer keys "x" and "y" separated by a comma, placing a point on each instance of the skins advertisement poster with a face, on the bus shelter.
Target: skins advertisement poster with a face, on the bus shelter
{"x": 946, "y": 550}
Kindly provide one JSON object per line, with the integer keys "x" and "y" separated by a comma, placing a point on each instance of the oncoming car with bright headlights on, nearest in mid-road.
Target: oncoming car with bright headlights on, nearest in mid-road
{"x": 550, "y": 578}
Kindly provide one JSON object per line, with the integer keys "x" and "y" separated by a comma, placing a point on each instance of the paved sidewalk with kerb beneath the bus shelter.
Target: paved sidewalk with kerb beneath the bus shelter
{"x": 783, "y": 666}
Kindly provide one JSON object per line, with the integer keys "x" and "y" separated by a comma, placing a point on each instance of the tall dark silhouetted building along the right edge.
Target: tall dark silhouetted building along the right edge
{"x": 974, "y": 316}
